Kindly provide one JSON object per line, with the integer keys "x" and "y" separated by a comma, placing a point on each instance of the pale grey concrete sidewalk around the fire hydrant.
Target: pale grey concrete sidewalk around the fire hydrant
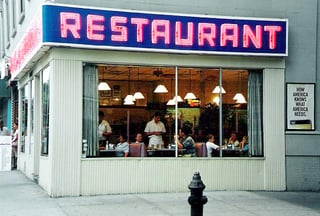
{"x": 20, "y": 196}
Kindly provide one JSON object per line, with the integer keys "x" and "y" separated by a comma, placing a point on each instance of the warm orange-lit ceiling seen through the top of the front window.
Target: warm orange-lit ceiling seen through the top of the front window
{"x": 146, "y": 73}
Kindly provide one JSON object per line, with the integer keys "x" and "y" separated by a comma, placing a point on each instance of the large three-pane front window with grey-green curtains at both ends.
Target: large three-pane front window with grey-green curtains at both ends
{"x": 123, "y": 101}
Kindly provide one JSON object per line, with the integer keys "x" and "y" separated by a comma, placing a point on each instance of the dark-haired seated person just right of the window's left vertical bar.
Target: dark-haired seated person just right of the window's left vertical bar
{"x": 186, "y": 141}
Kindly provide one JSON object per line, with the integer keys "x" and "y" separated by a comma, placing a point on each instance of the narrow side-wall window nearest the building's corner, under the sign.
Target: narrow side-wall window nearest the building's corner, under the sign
{"x": 45, "y": 112}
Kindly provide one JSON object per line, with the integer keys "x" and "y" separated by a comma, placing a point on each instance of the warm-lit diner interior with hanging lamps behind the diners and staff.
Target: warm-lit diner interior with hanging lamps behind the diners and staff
{"x": 129, "y": 95}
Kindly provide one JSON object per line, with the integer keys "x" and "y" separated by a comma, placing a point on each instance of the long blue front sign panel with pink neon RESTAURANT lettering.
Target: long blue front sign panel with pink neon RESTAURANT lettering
{"x": 174, "y": 33}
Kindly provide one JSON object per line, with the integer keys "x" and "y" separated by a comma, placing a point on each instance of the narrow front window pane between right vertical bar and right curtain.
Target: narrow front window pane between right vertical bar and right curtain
{"x": 235, "y": 123}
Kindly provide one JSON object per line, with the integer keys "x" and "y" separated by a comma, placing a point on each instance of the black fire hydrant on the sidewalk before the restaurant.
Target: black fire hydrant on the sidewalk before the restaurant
{"x": 196, "y": 200}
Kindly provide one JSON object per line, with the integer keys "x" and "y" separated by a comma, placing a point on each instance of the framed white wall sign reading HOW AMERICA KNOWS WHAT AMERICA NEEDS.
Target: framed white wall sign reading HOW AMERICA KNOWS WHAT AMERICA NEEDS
{"x": 300, "y": 106}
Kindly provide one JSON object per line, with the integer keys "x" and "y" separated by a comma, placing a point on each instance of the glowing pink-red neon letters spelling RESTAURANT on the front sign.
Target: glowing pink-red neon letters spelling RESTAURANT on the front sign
{"x": 161, "y": 32}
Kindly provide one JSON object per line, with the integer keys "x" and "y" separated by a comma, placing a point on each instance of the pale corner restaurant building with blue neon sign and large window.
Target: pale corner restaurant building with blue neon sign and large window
{"x": 62, "y": 52}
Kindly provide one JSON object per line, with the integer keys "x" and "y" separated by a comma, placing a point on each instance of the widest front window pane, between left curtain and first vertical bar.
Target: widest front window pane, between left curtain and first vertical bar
{"x": 128, "y": 101}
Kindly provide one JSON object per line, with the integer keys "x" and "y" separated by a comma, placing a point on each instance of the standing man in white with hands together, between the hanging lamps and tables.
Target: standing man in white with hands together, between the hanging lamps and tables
{"x": 154, "y": 130}
